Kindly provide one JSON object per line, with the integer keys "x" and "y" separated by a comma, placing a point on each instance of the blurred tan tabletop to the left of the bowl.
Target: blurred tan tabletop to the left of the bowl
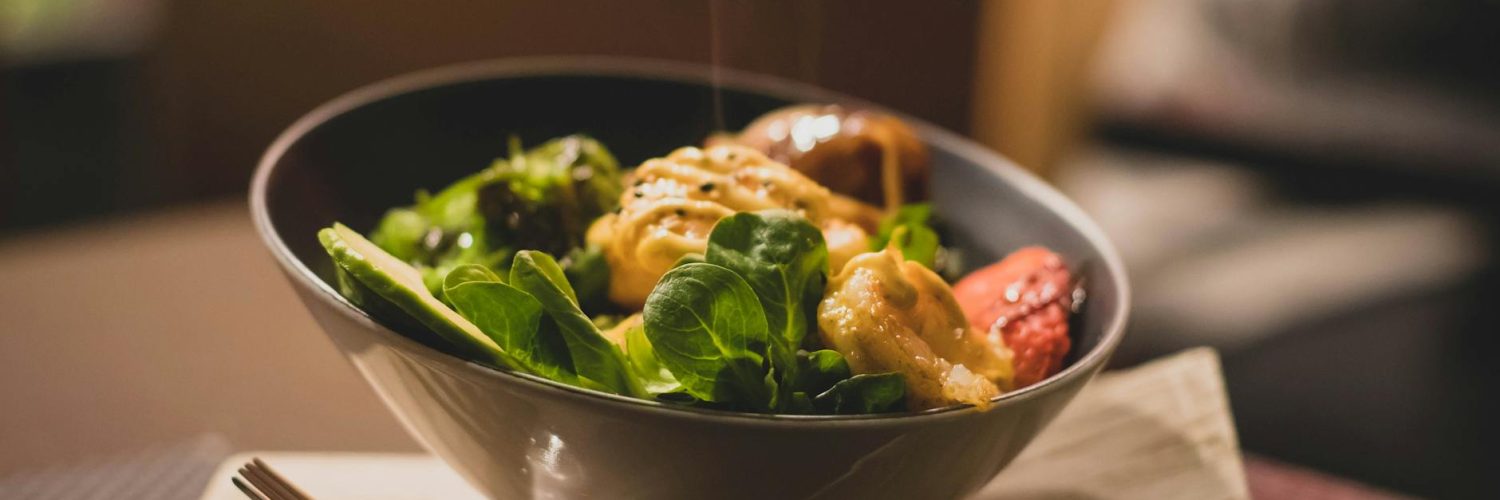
{"x": 152, "y": 330}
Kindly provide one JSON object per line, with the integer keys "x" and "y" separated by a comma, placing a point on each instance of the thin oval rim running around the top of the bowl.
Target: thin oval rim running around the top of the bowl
{"x": 703, "y": 76}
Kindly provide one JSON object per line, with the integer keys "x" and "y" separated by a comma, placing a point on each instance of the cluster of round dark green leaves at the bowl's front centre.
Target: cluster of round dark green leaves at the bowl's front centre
{"x": 730, "y": 328}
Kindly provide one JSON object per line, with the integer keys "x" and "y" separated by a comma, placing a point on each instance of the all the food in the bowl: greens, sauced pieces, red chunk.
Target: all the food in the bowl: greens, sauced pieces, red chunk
{"x": 793, "y": 268}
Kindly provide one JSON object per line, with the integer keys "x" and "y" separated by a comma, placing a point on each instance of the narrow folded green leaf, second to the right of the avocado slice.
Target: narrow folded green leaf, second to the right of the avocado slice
{"x": 598, "y": 363}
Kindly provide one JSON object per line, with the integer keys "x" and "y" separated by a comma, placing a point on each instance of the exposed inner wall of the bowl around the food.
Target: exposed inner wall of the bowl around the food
{"x": 353, "y": 161}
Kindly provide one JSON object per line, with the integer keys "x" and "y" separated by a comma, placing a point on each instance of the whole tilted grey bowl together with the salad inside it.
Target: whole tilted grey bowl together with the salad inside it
{"x": 625, "y": 303}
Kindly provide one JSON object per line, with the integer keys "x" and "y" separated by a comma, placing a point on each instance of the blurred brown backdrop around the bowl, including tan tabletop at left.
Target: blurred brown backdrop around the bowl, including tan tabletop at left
{"x": 1312, "y": 187}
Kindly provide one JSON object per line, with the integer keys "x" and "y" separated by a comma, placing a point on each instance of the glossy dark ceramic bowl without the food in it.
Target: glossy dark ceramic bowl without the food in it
{"x": 518, "y": 436}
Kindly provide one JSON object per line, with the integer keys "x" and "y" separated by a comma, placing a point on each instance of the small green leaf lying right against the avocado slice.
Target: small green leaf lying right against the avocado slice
{"x": 512, "y": 319}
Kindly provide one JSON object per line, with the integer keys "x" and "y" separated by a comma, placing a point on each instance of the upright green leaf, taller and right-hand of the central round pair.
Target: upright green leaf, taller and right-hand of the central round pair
{"x": 784, "y": 259}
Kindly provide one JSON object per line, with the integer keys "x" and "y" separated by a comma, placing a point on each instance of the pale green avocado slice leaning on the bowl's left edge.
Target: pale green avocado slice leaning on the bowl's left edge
{"x": 401, "y": 285}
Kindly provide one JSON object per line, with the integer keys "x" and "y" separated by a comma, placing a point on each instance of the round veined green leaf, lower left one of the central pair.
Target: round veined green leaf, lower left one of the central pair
{"x": 709, "y": 330}
